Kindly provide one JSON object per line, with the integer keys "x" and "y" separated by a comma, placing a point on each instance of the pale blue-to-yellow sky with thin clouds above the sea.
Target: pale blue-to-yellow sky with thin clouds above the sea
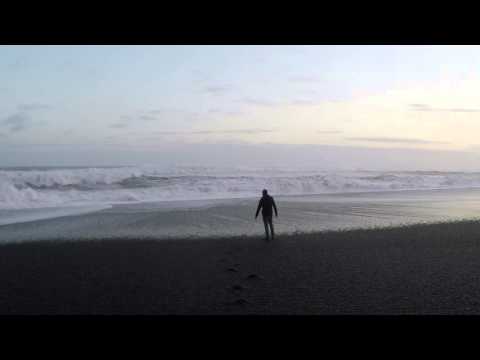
{"x": 83, "y": 104}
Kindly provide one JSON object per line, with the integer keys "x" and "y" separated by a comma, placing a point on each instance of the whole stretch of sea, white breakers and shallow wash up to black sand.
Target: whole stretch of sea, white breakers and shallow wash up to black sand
{"x": 100, "y": 202}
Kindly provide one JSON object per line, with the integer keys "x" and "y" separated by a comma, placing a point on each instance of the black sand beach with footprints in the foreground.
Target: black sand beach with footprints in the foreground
{"x": 420, "y": 269}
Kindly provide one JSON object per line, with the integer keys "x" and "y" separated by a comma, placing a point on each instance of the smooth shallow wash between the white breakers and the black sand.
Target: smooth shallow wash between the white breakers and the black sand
{"x": 236, "y": 216}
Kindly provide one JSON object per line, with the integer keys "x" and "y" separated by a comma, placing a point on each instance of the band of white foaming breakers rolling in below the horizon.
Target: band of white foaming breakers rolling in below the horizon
{"x": 23, "y": 188}
